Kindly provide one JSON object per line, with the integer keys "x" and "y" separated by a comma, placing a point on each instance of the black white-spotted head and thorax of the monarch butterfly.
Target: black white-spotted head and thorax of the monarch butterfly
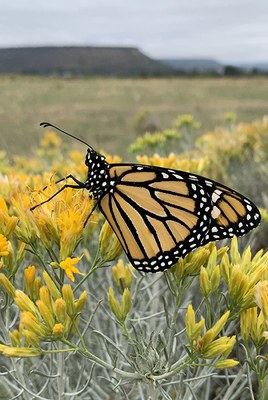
{"x": 98, "y": 181}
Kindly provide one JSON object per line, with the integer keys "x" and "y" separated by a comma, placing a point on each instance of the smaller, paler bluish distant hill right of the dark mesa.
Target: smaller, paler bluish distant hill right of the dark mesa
{"x": 193, "y": 65}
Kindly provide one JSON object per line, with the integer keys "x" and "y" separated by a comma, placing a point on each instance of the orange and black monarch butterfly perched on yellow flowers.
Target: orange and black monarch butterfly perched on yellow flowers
{"x": 160, "y": 214}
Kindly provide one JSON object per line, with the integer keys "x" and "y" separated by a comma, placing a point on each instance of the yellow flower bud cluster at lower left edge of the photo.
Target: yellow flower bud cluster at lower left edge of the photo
{"x": 46, "y": 313}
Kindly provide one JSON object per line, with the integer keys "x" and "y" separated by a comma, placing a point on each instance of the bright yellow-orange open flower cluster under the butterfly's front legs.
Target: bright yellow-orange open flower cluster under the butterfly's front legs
{"x": 59, "y": 221}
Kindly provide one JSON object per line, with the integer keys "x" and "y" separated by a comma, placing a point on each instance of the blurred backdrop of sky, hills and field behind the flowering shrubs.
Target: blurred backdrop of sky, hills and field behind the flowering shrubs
{"x": 110, "y": 71}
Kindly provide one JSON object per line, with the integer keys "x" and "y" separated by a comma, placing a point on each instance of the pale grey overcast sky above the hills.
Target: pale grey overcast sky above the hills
{"x": 226, "y": 30}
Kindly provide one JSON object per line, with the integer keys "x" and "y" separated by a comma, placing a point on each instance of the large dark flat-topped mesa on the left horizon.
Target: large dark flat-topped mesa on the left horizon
{"x": 117, "y": 61}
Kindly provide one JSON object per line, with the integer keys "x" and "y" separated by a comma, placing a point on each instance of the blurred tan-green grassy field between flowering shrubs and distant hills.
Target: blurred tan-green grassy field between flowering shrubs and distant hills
{"x": 102, "y": 110}
